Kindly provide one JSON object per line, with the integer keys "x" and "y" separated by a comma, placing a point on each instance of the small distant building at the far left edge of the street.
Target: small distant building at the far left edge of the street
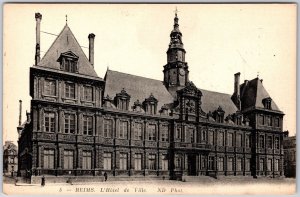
{"x": 10, "y": 158}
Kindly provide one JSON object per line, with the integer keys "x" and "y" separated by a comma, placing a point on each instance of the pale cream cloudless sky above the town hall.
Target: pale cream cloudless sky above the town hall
{"x": 220, "y": 40}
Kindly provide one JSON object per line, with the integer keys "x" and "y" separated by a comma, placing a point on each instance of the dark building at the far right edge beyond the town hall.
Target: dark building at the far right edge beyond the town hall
{"x": 289, "y": 147}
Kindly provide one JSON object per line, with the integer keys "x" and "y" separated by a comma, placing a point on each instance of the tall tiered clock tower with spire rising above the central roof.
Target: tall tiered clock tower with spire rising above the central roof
{"x": 176, "y": 70}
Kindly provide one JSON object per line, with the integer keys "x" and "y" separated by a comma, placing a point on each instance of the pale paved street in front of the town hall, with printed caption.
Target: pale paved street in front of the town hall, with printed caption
{"x": 209, "y": 186}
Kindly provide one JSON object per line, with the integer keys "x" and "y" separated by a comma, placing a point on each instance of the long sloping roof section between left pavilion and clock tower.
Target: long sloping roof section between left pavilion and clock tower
{"x": 137, "y": 87}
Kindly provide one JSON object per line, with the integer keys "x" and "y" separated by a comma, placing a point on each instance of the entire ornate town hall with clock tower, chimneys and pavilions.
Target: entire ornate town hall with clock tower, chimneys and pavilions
{"x": 131, "y": 126}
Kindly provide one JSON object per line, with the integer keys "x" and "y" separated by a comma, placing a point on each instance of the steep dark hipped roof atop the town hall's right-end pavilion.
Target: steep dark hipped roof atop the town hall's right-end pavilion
{"x": 252, "y": 94}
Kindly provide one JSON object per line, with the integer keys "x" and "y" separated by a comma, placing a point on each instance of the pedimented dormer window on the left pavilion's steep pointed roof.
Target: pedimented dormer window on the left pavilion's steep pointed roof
{"x": 68, "y": 62}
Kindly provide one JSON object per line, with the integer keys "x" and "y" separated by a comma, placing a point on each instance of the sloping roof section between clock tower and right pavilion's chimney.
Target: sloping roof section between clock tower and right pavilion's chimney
{"x": 212, "y": 100}
